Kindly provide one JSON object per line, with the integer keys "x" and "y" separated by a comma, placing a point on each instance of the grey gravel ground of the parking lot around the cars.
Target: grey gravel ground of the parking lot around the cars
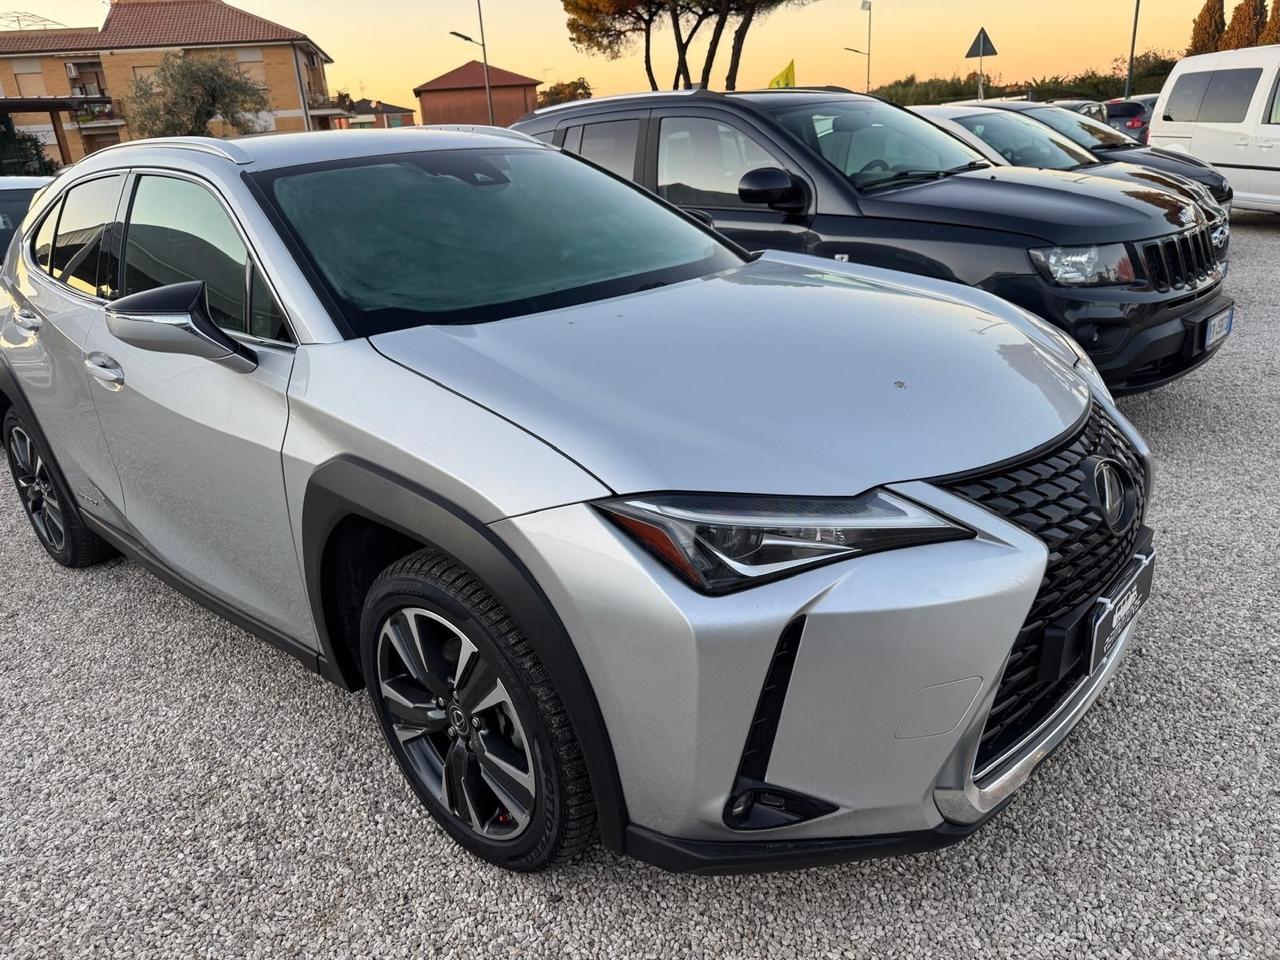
{"x": 172, "y": 787}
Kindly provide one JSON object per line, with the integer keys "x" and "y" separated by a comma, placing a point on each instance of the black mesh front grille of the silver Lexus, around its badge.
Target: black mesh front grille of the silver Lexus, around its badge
{"x": 1049, "y": 497}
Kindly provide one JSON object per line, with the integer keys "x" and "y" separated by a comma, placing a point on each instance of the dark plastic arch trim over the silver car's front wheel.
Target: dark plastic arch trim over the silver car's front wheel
{"x": 349, "y": 486}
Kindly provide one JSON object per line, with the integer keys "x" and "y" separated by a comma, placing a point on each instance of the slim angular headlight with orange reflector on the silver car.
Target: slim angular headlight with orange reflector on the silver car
{"x": 723, "y": 543}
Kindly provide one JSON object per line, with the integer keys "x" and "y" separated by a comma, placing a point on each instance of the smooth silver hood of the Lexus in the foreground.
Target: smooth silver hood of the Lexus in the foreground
{"x": 788, "y": 376}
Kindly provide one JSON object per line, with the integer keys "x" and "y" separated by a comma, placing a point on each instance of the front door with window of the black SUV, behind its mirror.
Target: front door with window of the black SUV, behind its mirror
{"x": 697, "y": 159}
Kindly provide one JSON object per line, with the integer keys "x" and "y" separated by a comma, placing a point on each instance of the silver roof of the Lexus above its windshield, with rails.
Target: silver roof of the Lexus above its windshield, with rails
{"x": 276, "y": 150}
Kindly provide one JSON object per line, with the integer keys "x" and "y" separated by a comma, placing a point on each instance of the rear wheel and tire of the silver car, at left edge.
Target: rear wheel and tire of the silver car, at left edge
{"x": 48, "y": 501}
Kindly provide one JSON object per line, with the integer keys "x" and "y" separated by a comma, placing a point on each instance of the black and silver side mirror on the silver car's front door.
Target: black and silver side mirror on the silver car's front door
{"x": 175, "y": 321}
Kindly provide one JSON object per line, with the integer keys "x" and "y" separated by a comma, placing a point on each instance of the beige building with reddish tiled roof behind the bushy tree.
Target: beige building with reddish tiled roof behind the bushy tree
{"x": 84, "y": 75}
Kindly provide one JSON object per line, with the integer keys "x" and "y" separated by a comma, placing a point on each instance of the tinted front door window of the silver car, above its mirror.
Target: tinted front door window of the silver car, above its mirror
{"x": 180, "y": 232}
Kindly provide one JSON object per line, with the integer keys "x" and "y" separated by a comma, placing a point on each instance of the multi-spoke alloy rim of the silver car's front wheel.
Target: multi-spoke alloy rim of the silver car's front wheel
{"x": 456, "y": 724}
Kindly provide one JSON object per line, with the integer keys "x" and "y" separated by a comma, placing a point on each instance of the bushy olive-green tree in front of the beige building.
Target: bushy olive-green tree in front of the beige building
{"x": 188, "y": 93}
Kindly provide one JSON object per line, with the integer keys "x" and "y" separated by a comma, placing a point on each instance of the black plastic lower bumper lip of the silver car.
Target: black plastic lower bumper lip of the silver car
{"x": 764, "y": 856}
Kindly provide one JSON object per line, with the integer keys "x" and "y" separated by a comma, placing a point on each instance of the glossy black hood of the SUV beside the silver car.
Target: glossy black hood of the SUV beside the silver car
{"x": 1057, "y": 207}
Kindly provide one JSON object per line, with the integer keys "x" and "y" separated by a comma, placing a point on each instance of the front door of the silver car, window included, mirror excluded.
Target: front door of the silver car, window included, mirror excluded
{"x": 198, "y": 445}
